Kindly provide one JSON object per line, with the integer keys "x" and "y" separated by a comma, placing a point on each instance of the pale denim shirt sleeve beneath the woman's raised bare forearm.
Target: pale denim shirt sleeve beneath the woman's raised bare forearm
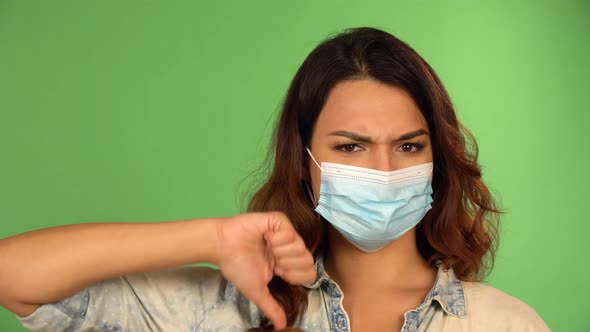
{"x": 168, "y": 300}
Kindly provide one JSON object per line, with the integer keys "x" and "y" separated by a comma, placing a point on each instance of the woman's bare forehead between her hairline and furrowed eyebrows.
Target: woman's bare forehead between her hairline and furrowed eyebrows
{"x": 370, "y": 107}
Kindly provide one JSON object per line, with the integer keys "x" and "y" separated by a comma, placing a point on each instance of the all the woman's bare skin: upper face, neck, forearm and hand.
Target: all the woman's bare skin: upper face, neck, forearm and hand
{"x": 51, "y": 264}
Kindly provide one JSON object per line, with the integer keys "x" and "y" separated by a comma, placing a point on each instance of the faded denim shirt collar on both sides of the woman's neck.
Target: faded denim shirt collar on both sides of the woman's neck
{"x": 447, "y": 289}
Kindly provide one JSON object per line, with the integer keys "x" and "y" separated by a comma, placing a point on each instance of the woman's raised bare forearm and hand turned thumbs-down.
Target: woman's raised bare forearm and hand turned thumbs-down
{"x": 51, "y": 264}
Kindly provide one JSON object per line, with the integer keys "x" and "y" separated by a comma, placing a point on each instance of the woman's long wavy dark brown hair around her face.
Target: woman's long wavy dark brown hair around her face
{"x": 461, "y": 229}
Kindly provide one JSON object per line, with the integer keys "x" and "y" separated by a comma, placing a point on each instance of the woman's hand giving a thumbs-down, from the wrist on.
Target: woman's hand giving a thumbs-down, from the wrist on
{"x": 255, "y": 246}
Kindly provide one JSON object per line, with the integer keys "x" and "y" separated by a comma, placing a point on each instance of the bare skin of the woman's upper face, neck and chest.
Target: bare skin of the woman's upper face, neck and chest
{"x": 361, "y": 125}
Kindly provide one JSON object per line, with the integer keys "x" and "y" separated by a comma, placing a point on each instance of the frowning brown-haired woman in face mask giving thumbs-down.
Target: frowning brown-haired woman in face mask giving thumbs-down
{"x": 374, "y": 218}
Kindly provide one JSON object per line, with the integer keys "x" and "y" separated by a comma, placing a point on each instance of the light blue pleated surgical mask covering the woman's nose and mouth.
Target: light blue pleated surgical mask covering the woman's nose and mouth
{"x": 372, "y": 208}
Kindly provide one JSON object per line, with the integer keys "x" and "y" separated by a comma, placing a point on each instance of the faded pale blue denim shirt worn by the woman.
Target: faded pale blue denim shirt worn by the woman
{"x": 199, "y": 299}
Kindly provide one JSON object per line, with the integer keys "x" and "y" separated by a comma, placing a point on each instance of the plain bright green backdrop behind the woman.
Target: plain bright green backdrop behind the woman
{"x": 157, "y": 111}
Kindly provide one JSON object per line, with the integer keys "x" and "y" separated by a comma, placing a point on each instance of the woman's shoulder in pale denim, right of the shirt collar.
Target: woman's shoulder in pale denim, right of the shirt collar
{"x": 484, "y": 302}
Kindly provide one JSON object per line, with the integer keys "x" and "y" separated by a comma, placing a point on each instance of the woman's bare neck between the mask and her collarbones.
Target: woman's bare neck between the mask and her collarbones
{"x": 398, "y": 266}
